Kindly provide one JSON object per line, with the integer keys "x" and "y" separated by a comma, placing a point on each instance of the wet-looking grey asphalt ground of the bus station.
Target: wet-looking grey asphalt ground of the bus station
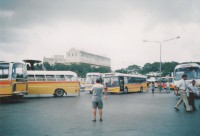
{"x": 135, "y": 114}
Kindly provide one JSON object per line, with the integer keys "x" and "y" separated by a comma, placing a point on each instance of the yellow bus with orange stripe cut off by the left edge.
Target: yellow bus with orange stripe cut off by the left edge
{"x": 13, "y": 79}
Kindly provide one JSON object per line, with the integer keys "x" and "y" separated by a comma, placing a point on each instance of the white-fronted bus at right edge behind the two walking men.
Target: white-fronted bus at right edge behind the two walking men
{"x": 192, "y": 70}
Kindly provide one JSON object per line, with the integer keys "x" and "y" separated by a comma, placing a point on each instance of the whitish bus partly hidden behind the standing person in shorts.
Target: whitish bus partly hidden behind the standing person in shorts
{"x": 91, "y": 79}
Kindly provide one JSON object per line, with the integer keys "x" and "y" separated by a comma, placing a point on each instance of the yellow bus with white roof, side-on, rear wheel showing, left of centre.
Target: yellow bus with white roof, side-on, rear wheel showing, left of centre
{"x": 55, "y": 83}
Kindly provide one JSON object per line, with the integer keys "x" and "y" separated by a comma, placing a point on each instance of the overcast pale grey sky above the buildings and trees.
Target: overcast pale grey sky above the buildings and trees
{"x": 32, "y": 29}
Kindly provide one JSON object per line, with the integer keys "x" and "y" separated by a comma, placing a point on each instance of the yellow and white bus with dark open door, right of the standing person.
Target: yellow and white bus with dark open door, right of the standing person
{"x": 124, "y": 83}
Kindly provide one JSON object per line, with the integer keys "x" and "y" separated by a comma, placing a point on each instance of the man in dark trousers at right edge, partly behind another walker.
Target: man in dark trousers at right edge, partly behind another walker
{"x": 192, "y": 91}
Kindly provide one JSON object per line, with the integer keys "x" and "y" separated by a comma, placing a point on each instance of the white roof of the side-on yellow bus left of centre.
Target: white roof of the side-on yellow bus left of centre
{"x": 51, "y": 73}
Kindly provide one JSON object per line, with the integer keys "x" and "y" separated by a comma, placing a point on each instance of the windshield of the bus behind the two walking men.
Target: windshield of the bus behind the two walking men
{"x": 191, "y": 72}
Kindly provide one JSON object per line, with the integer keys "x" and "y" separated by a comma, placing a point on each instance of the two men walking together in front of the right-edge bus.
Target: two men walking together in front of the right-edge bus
{"x": 187, "y": 94}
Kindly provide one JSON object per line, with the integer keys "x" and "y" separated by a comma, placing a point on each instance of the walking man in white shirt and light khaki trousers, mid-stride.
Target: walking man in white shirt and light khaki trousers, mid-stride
{"x": 182, "y": 87}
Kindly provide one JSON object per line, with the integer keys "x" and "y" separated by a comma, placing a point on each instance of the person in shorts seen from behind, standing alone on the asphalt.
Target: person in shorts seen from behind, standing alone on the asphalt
{"x": 97, "y": 93}
